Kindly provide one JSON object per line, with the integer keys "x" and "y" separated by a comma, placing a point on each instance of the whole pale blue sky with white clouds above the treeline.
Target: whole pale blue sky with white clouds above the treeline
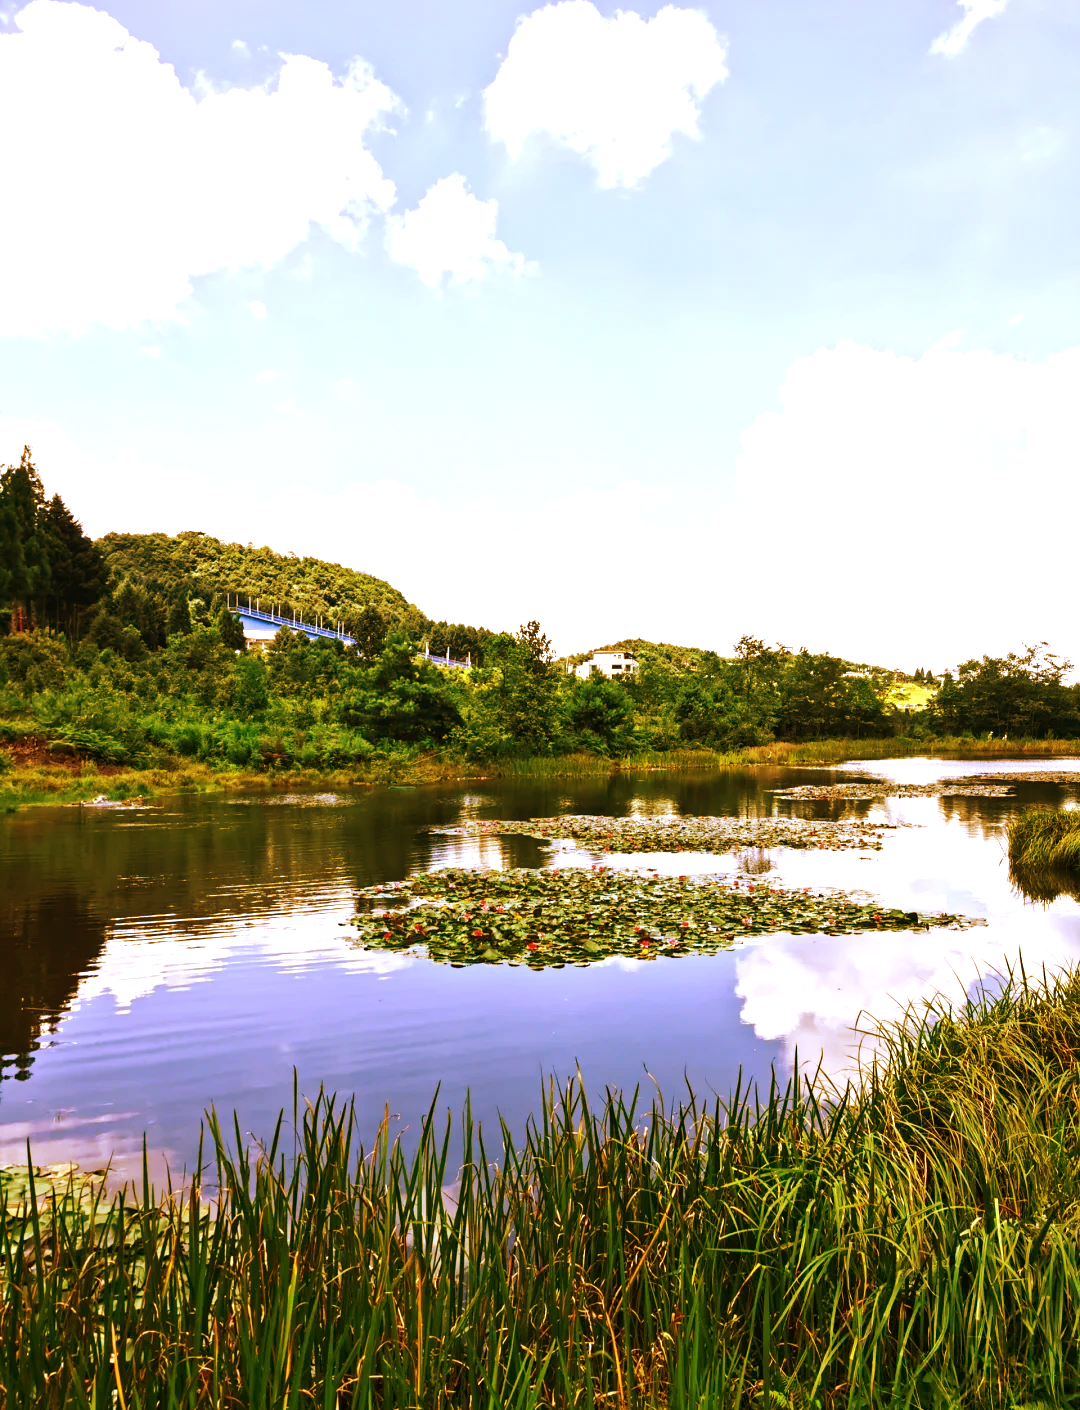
{"x": 665, "y": 322}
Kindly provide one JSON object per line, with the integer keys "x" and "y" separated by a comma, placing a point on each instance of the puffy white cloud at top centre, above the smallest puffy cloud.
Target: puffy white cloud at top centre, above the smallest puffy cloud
{"x": 615, "y": 91}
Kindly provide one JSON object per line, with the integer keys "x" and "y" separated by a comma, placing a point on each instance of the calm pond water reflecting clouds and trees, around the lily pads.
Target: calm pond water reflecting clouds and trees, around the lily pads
{"x": 161, "y": 960}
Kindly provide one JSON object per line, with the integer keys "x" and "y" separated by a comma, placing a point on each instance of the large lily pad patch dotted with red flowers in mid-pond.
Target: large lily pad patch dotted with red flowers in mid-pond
{"x": 576, "y": 917}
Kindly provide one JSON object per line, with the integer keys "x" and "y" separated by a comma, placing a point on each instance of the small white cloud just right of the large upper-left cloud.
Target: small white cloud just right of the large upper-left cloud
{"x": 450, "y": 233}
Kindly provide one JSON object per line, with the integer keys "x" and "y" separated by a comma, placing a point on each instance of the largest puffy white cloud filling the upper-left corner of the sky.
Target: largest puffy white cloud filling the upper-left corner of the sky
{"x": 130, "y": 185}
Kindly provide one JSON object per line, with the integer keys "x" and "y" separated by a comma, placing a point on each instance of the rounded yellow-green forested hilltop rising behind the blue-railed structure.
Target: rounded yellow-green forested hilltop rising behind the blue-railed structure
{"x": 212, "y": 569}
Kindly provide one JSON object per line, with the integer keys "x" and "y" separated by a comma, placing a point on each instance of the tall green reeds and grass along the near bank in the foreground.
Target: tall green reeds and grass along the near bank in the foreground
{"x": 914, "y": 1243}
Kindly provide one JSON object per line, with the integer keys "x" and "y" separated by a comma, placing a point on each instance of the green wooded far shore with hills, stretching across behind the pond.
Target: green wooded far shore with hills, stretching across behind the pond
{"x": 128, "y": 649}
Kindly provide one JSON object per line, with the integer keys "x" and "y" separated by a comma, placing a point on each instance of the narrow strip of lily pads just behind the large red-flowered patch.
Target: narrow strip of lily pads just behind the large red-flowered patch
{"x": 677, "y": 834}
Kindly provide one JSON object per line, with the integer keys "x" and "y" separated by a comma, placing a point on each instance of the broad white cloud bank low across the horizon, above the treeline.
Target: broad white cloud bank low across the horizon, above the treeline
{"x": 909, "y": 511}
